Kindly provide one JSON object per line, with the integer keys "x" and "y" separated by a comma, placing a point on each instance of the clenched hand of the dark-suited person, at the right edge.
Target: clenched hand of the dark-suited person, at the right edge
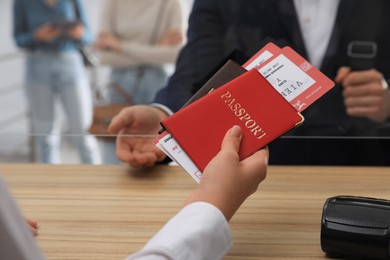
{"x": 365, "y": 94}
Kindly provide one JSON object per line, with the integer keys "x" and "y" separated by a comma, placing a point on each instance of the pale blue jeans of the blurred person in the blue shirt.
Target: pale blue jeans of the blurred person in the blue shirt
{"x": 53, "y": 77}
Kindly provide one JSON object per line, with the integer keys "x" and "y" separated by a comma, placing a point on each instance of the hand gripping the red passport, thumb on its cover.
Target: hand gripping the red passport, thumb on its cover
{"x": 227, "y": 182}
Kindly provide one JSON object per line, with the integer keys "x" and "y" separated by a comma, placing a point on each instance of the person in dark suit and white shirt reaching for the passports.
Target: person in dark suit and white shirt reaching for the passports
{"x": 358, "y": 106}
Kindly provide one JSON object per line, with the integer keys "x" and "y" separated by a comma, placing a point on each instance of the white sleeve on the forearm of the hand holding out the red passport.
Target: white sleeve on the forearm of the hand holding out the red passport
{"x": 198, "y": 231}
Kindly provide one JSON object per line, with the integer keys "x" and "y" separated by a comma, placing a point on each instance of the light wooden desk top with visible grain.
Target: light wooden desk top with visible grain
{"x": 108, "y": 212}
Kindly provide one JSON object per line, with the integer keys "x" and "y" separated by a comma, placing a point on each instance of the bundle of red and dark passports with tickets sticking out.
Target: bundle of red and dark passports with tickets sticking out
{"x": 265, "y": 97}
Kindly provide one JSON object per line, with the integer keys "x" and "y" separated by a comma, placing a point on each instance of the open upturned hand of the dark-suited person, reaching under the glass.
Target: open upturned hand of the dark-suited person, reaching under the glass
{"x": 138, "y": 119}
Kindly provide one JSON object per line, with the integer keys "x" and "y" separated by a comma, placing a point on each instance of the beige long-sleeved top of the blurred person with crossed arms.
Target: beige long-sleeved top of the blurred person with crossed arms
{"x": 140, "y": 23}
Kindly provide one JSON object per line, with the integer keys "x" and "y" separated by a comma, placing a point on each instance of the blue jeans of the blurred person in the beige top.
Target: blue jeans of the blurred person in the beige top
{"x": 141, "y": 89}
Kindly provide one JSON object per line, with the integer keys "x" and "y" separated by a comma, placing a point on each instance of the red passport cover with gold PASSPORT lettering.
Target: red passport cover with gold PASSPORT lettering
{"x": 249, "y": 101}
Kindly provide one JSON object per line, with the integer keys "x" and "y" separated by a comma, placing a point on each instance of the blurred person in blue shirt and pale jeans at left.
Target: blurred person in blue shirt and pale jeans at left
{"x": 50, "y": 32}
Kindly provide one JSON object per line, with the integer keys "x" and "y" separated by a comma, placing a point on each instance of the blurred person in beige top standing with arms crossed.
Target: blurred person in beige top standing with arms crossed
{"x": 137, "y": 40}
